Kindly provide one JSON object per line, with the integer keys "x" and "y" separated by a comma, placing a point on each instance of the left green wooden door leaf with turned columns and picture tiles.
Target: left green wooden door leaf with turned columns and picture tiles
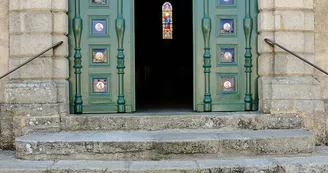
{"x": 103, "y": 82}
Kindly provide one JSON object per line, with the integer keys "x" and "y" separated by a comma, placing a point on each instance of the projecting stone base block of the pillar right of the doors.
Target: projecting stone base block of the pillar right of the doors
{"x": 290, "y": 95}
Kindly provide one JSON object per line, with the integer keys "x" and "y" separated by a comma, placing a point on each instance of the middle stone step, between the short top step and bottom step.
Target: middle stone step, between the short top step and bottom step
{"x": 155, "y": 145}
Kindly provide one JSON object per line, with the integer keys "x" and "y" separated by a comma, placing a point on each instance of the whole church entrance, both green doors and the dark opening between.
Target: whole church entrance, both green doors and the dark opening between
{"x": 156, "y": 55}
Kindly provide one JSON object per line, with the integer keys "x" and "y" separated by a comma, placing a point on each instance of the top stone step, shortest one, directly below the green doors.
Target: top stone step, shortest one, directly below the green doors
{"x": 181, "y": 120}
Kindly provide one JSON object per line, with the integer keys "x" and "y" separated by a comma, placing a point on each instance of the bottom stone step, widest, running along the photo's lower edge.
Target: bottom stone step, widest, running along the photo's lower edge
{"x": 316, "y": 162}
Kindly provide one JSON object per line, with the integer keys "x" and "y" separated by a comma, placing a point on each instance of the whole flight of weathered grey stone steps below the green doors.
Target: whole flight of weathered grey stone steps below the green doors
{"x": 172, "y": 142}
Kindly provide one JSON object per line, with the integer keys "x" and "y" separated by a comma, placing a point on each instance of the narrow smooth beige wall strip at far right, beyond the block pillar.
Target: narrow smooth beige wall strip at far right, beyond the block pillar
{"x": 321, "y": 53}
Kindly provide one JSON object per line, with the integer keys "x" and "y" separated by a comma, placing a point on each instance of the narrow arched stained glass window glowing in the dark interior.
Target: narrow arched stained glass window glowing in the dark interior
{"x": 167, "y": 21}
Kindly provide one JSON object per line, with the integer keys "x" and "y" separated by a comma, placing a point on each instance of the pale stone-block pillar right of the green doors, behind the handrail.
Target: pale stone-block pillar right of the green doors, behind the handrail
{"x": 287, "y": 85}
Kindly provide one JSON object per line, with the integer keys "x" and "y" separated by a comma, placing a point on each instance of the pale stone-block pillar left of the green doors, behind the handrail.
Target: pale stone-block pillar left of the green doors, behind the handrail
{"x": 36, "y": 94}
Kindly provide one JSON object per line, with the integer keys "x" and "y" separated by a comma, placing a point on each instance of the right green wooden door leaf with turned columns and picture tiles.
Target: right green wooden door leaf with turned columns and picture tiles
{"x": 225, "y": 55}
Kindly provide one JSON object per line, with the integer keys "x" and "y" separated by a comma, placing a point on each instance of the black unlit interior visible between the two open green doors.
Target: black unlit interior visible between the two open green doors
{"x": 164, "y": 68}
